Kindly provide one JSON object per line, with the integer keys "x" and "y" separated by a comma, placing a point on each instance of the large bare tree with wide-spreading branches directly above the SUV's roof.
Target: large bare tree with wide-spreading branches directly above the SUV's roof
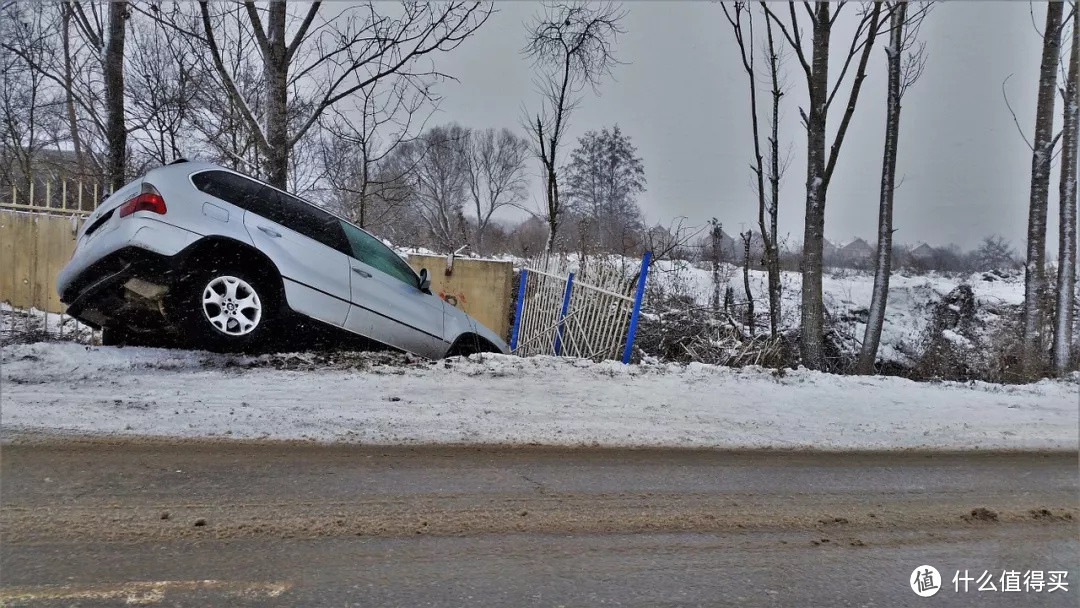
{"x": 312, "y": 64}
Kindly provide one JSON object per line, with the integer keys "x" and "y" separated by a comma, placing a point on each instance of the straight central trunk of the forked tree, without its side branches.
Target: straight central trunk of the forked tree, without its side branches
{"x": 814, "y": 236}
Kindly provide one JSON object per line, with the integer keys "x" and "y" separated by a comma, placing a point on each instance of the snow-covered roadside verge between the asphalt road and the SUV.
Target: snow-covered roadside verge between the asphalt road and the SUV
{"x": 382, "y": 399}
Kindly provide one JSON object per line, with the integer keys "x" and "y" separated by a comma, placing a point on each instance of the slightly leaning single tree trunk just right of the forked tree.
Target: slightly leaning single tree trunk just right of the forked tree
{"x": 873, "y": 336}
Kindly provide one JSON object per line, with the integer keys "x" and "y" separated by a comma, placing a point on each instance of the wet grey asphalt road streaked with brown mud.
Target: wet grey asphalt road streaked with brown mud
{"x": 204, "y": 524}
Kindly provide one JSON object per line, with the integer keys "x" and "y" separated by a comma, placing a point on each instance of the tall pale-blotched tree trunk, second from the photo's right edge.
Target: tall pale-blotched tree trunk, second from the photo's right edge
{"x": 1035, "y": 278}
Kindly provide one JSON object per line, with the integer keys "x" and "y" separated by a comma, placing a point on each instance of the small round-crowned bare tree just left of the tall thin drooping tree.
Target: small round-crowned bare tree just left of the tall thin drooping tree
{"x": 495, "y": 165}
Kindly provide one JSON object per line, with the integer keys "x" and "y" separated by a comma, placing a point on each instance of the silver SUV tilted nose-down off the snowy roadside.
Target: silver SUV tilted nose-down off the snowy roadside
{"x": 223, "y": 262}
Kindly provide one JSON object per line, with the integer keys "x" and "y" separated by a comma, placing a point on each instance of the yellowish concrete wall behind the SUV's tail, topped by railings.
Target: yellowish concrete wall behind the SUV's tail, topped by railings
{"x": 34, "y": 248}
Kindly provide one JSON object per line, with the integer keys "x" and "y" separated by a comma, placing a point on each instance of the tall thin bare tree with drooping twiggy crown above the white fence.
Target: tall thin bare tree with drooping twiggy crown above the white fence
{"x": 572, "y": 46}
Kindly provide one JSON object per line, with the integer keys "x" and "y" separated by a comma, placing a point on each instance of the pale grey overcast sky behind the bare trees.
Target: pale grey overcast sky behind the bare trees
{"x": 682, "y": 96}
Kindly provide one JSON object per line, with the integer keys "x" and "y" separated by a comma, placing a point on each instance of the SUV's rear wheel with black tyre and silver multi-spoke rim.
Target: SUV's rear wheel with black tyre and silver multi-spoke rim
{"x": 227, "y": 309}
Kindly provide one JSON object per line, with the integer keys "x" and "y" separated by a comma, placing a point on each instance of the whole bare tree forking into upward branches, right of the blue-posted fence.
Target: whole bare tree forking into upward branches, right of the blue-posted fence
{"x": 820, "y": 167}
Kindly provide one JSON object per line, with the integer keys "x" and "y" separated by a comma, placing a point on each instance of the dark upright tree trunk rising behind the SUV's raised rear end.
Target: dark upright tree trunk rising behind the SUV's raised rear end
{"x": 116, "y": 131}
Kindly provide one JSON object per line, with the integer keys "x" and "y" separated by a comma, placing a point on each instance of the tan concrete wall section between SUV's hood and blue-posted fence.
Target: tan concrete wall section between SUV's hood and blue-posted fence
{"x": 481, "y": 288}
